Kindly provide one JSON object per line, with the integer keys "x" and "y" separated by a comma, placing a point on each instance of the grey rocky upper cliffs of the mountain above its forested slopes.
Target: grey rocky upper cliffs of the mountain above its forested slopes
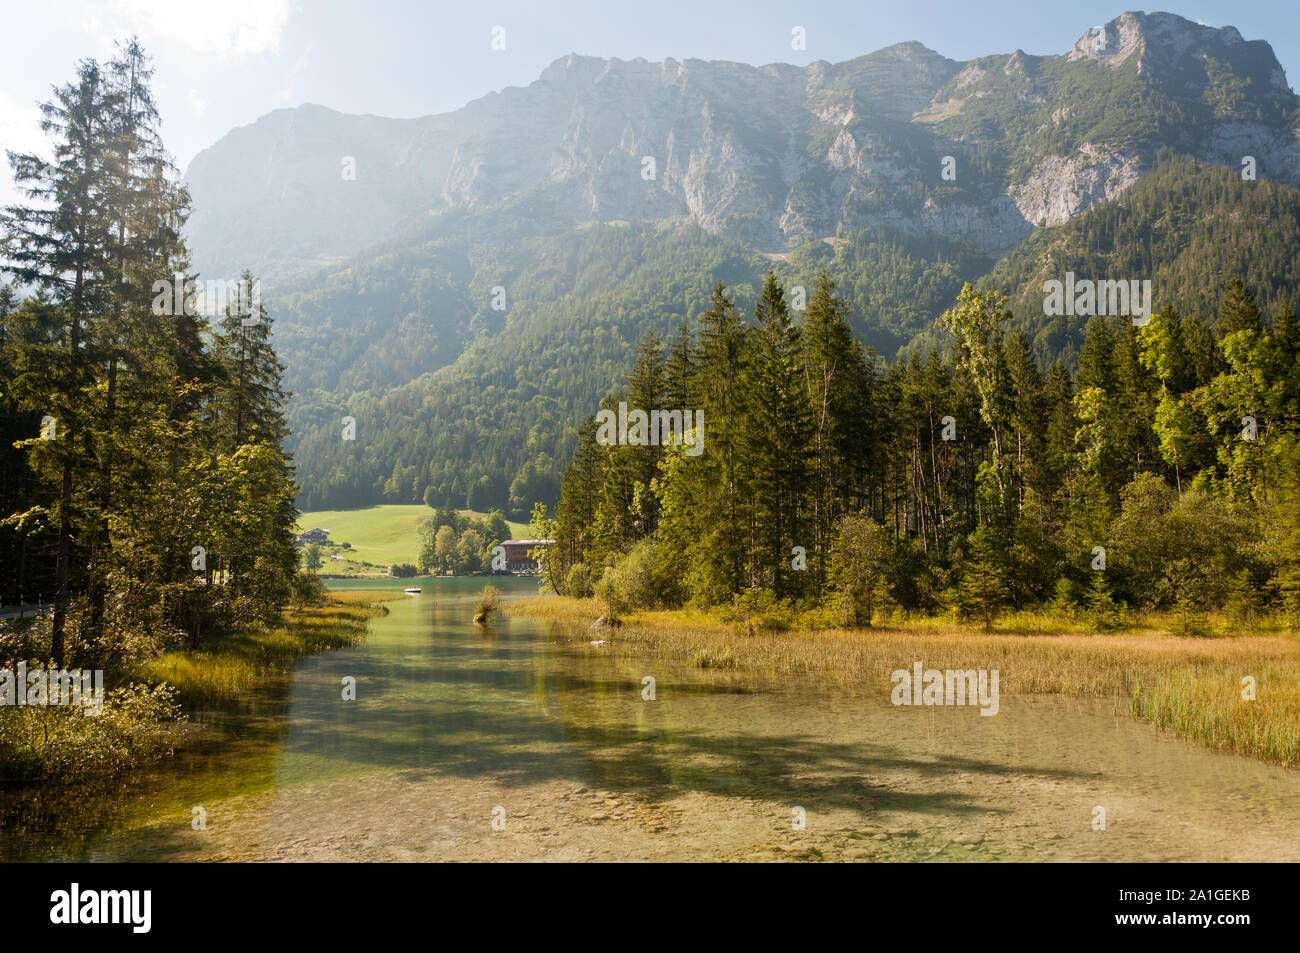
{"x": 985, "y": 151}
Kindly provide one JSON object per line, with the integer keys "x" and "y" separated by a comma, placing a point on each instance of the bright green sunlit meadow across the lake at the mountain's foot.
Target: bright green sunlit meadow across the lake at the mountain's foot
{"x": 382, "y": 536}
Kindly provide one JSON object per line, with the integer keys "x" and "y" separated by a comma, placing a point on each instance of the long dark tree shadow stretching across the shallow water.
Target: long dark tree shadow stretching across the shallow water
{"x": 657, "y": 764}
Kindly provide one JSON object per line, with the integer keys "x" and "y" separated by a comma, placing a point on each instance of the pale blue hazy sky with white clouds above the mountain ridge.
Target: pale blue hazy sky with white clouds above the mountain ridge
{"x": 224, "y": 64}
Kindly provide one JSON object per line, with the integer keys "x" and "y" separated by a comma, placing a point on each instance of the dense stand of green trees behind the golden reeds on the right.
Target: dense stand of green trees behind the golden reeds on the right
{"x": 1164, "y": 474}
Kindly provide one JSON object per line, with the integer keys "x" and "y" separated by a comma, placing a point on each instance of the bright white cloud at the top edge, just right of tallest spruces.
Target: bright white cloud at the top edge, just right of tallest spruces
{"x": 214, "y": 28}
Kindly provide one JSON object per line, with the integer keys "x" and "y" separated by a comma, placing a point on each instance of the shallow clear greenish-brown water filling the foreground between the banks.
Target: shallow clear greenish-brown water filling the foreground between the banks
{"x": 521, "y": 742}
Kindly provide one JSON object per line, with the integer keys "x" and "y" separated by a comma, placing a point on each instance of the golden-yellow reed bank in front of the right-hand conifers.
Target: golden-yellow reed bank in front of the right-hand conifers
{"x": 1190, "y": 686}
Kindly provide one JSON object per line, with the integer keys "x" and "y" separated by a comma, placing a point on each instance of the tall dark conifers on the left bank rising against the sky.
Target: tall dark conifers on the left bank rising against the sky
{"x": 146, "y": 493}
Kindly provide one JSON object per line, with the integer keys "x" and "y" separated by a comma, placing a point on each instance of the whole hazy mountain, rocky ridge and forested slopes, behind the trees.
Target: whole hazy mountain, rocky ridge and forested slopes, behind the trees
{"x": 469, "y": 287}
